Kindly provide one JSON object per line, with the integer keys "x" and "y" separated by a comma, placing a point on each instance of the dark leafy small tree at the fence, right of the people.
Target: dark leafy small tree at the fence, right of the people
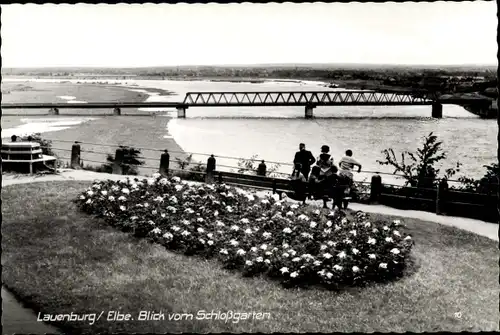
{"x": 419, "y": 170}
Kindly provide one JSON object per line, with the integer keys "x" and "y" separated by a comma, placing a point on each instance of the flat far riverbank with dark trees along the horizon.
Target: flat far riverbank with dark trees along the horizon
{"x": 446, "y": 80}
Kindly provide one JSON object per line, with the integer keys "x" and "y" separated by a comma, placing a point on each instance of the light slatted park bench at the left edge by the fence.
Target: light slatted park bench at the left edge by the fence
{"x": 19, "y": 153}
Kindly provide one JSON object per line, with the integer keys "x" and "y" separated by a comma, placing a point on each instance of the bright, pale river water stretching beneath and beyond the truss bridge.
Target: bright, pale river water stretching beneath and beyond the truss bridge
{"x": 273, "y": 133}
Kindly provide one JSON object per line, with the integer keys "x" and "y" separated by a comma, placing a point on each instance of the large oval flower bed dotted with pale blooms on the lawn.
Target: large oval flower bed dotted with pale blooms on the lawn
{"x": 296, "y": 244}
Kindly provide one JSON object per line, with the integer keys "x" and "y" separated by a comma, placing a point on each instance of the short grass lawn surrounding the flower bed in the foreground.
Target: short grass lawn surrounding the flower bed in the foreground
{"x": 59, "y": 260}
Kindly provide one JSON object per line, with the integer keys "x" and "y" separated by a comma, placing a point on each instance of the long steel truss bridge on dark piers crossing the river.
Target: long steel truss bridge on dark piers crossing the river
{"x": 308, "y": 99}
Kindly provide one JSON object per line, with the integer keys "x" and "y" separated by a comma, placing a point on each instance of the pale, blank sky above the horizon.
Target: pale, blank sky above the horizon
{"x": 141, "y": 35}
